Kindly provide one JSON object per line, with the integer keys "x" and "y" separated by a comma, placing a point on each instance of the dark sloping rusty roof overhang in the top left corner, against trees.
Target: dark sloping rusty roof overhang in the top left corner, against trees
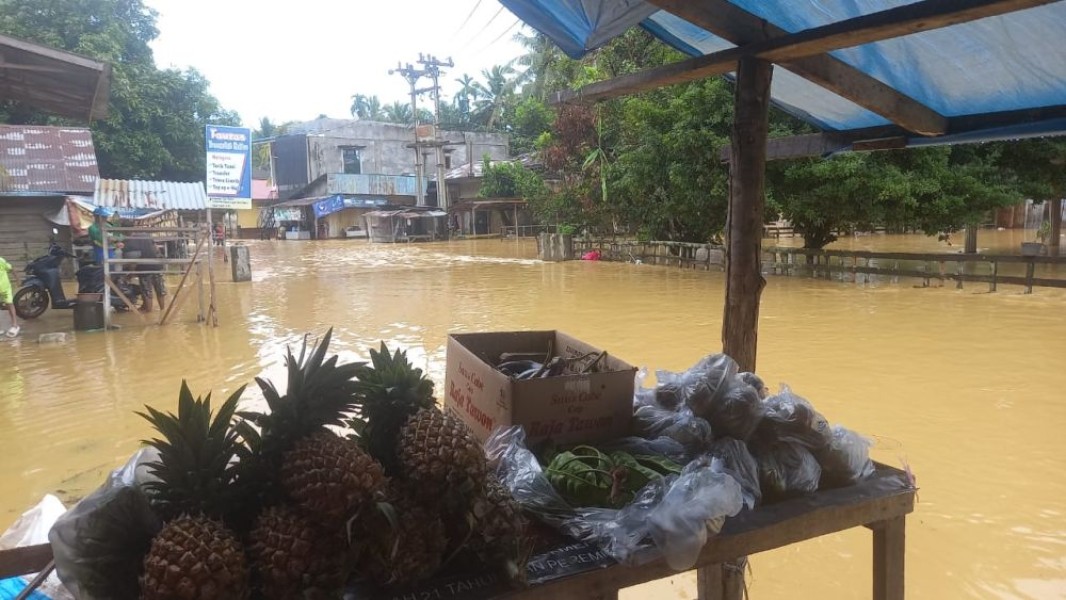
{"x": 53, "y": 80}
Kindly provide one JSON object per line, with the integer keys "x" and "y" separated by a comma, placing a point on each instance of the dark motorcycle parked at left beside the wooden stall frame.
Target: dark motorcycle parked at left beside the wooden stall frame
{"x": 42, "y": 287}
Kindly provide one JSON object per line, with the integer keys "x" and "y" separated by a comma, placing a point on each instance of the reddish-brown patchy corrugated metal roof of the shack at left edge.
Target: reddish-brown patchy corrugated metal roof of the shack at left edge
{"x": 47, "y": 159}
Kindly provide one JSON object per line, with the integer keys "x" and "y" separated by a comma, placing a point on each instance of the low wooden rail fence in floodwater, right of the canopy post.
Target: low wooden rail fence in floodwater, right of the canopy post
{"x": 960, "y": 268}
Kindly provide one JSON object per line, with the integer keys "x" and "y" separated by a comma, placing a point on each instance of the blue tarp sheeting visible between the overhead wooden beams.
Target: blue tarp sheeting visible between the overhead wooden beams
{"x": 1016, "y": 61}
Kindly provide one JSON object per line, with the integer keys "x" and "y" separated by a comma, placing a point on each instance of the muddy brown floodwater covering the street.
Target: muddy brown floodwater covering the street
{"x": 966, "y": 387}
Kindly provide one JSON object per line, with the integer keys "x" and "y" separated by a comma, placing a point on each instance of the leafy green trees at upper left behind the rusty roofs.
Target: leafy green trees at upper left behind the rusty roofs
{"x": 155, "y": 126}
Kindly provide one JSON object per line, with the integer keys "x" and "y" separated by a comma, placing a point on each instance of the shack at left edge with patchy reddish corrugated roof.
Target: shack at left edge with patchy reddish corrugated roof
{"x": 40, "y": 168}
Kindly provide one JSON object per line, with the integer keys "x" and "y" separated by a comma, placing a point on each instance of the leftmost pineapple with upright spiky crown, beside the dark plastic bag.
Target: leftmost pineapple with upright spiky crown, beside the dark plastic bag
{"x": 195, "y": 557}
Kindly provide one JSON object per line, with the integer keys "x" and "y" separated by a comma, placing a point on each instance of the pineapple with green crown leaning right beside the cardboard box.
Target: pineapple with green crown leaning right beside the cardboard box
{"x": 434, "y": 455}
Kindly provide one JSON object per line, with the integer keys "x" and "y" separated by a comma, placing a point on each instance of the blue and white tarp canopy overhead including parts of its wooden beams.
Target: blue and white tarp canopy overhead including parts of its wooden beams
{"x": 1011, "y": 66}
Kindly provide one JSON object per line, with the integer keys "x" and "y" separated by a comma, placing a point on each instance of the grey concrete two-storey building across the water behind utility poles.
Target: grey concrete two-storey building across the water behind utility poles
{"x": 331, "y": 173}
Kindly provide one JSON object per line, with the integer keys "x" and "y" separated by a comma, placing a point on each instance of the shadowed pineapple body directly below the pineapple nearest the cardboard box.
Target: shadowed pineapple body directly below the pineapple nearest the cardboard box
{"x": 402, "y": 544}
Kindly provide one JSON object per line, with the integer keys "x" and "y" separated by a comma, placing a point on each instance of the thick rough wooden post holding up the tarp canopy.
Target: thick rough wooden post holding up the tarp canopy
{"x": 748, "y": 174}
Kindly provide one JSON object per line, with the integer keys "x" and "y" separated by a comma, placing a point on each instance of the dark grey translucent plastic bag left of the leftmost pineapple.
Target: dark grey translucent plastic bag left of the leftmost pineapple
{"x": 101, "y": 544}
